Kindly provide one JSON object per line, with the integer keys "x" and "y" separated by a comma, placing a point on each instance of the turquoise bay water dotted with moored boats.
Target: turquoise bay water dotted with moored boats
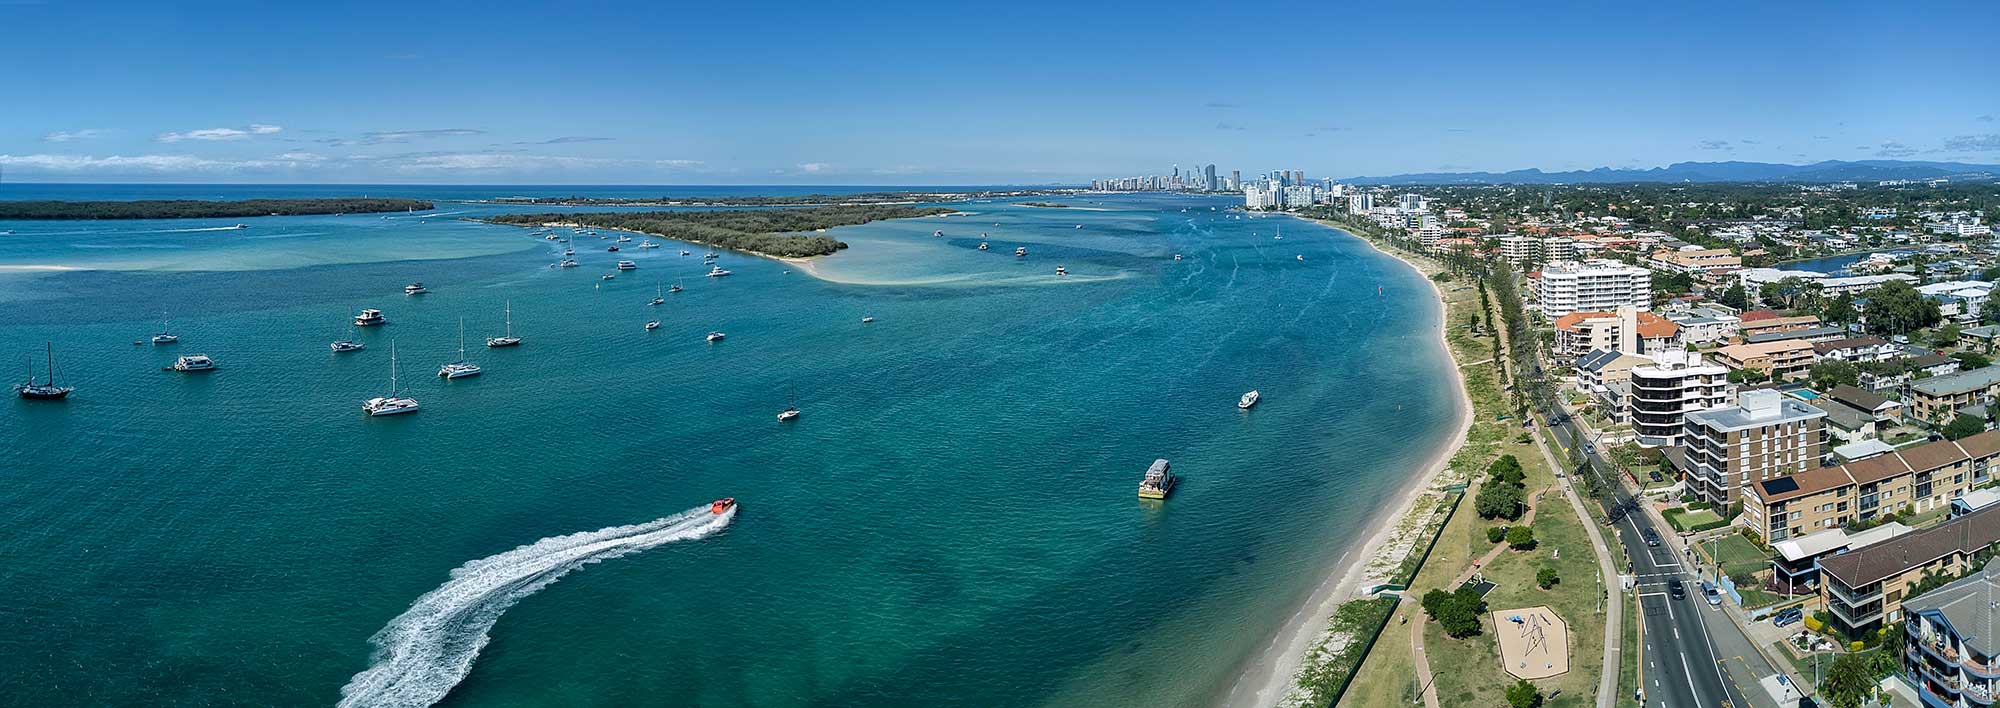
{"x": 951, "y": 523}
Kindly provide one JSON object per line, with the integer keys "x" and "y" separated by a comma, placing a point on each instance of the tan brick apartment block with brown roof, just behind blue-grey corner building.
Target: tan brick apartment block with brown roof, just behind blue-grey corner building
{"x": 1867, "y": 587}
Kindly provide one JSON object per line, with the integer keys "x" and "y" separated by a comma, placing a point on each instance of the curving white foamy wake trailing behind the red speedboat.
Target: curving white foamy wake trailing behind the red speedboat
{"x": 429, "y": 649}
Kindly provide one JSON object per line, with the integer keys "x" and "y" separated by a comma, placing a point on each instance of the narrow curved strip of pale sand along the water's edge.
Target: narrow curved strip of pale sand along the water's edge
{"x": 1273, "y": 677}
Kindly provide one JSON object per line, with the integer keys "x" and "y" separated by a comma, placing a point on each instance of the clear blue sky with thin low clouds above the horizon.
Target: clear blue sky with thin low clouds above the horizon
{"x": 937, "y": 93}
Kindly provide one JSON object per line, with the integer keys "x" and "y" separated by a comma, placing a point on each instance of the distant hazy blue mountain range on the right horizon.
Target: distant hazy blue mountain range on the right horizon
{"x": 1831, "y": 171}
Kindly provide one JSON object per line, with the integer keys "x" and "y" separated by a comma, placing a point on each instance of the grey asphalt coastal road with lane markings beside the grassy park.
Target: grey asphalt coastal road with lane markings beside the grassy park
{"x": 1683, "y": 665}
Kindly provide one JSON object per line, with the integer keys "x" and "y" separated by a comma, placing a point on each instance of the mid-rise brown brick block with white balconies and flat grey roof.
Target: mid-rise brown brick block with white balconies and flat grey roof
{"x": 1763, "y": 437}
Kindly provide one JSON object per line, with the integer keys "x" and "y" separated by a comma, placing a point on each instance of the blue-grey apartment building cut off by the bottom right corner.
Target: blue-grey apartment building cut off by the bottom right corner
{"x": 1951, "y": 641}
